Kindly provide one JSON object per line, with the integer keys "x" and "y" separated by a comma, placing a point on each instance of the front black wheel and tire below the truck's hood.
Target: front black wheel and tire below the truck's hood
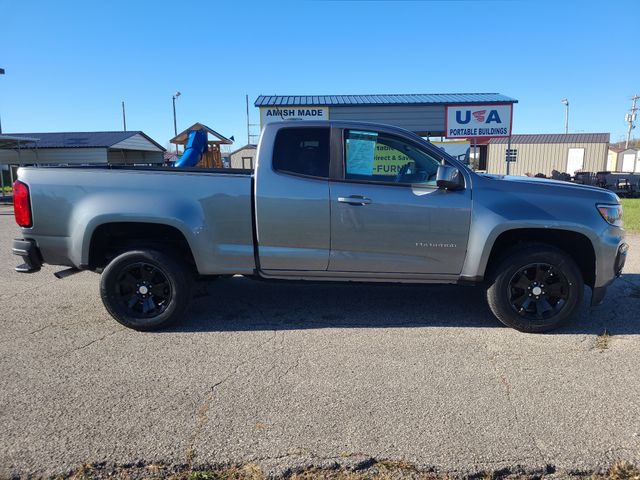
{"x": 535, "y": 288}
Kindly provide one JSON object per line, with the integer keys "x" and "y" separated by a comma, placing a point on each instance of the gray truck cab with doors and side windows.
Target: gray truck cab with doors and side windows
{"x": 346, "y": 201}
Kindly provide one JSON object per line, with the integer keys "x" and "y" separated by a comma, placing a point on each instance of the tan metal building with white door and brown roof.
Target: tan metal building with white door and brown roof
{"x": 544, "y": 153}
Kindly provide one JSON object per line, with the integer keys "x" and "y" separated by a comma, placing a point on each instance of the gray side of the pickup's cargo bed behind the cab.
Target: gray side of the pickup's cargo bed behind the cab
{"x": 212, "y": 209}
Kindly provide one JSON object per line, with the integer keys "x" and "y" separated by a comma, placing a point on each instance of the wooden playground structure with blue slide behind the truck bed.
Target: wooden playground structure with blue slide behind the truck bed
{"x": 201, "y": 146}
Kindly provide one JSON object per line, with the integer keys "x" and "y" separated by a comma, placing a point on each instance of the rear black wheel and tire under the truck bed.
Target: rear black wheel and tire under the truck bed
{"x": 146, "y": 289}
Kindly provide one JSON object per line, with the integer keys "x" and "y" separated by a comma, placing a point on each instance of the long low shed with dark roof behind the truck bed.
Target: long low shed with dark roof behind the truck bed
{"x": 80, "y": 148}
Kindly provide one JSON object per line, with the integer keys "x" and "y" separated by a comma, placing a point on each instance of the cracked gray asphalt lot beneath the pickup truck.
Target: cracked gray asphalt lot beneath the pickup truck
{"x": 288, "y": 375}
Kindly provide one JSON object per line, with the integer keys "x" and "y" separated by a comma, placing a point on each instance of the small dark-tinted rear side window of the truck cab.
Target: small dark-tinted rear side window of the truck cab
{"x": 303, "y": 151}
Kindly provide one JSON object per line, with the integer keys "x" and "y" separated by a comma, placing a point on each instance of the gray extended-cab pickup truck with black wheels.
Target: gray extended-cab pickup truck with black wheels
{"x": 328, "y": 201}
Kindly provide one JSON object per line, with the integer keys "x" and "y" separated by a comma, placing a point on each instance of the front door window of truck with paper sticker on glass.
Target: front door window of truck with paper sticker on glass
{"x": 378, "y": 157}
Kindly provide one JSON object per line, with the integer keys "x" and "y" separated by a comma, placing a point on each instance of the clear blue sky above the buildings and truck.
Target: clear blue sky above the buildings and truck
{"x": 70, "y": 64}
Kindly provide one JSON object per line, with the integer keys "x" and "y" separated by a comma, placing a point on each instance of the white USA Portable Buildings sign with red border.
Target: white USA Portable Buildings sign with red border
{"x": 478, "y": 121}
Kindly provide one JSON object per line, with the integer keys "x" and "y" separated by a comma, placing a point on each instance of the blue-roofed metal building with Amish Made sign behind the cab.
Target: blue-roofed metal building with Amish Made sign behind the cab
{"x": 424, "y": 114}
